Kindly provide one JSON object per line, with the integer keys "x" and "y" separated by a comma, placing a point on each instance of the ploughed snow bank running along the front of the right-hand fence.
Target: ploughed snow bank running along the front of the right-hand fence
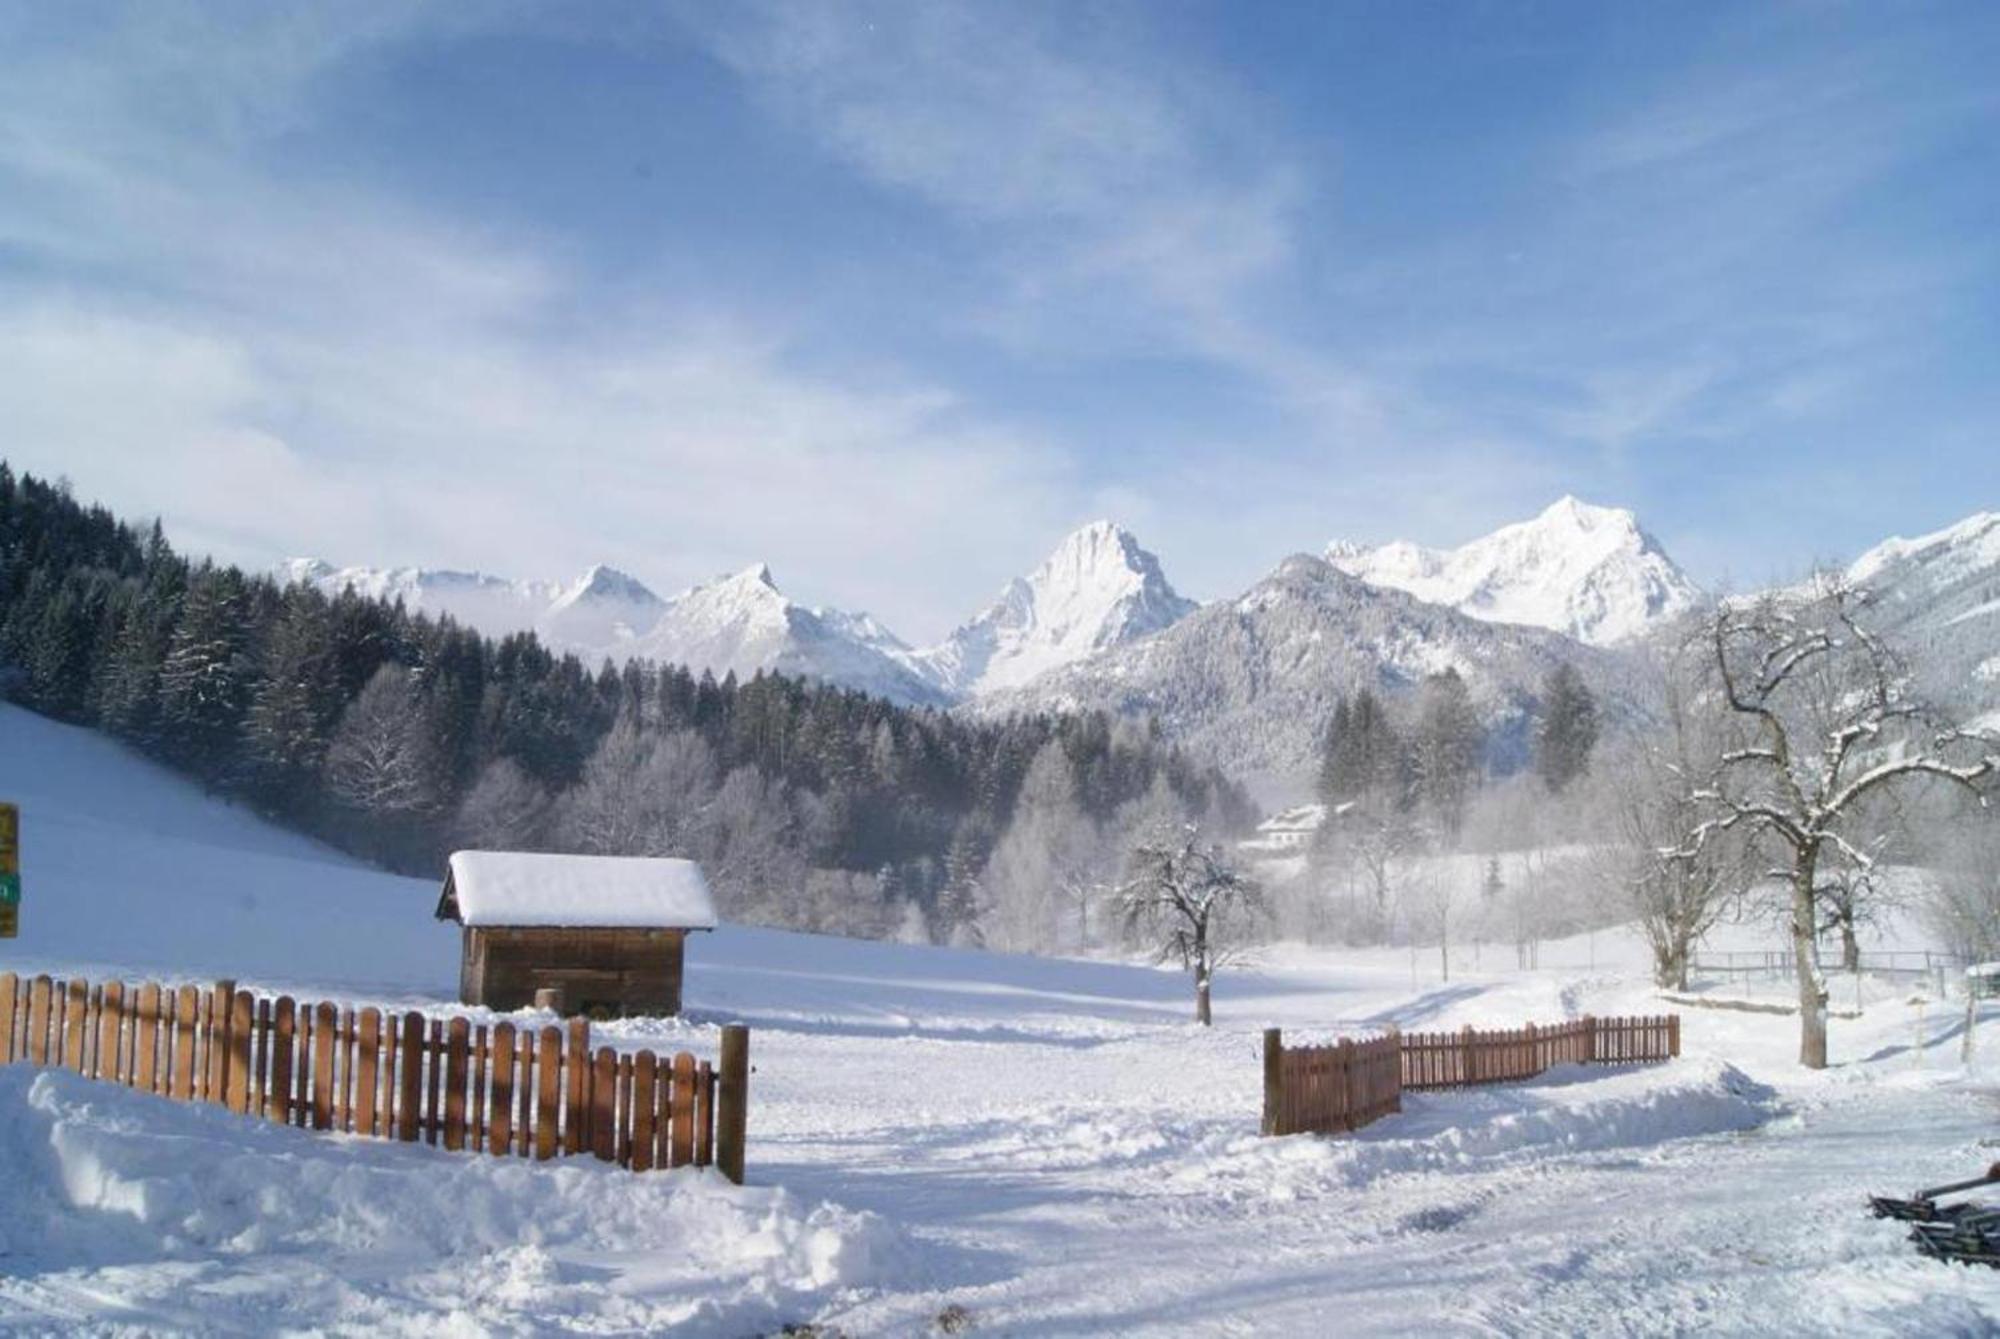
{"x": 1477, "y": 1130}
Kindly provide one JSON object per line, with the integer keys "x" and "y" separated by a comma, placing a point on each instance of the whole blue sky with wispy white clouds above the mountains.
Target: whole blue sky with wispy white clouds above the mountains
{"x": 895, "y": 295}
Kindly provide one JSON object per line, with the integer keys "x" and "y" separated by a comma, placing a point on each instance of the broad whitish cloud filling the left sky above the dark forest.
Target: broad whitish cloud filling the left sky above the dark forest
{"x": 311, "y": 367}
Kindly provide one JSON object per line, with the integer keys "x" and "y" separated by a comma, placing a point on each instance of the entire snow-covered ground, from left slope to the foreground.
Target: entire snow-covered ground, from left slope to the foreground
{"x": 1045, "y": 1146}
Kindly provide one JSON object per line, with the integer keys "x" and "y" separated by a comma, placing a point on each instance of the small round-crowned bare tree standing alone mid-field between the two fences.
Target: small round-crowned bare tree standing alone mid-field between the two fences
{"x": 1187, "y": 894}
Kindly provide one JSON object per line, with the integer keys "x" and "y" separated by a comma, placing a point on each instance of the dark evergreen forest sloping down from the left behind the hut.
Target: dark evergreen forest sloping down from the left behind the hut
{"x": 401, "y": 736}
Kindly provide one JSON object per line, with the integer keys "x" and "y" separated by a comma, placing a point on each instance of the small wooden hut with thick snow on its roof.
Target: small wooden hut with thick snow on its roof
{"x": 603, "y": 930}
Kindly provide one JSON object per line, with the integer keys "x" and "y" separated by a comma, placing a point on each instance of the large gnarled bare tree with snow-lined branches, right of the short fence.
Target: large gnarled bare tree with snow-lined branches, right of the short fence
{"x": 1829, "y": 724}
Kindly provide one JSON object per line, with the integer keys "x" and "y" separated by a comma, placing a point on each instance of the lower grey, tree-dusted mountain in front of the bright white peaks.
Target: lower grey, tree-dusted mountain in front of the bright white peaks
{"x": 1251, "y": 684}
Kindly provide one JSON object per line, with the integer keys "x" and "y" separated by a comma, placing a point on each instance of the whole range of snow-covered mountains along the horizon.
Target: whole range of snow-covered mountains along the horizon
{"x": 1243, "y": 682}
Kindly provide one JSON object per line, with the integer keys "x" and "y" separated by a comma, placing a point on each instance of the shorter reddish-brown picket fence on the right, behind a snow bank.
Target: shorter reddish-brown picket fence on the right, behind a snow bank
{"x": 1345, "y": 1086}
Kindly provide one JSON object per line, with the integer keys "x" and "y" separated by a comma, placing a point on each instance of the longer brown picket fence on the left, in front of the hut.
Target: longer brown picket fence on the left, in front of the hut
{"x": 505, "y": 1092}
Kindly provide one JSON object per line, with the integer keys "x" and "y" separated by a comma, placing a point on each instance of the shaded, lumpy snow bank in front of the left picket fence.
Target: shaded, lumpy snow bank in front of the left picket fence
{"x": 349, "y": 1232}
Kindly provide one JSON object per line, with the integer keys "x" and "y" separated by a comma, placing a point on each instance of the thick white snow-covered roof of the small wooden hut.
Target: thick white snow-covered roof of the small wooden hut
{"x": 529, "y": 888}
